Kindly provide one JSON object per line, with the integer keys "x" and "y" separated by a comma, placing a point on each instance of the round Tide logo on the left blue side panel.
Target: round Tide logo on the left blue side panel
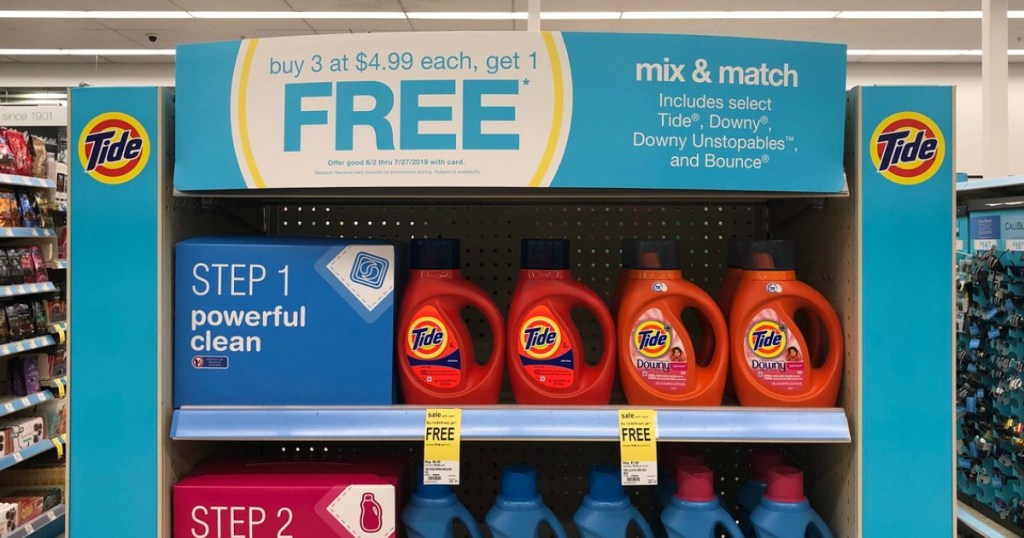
{"x": 114, "y": 148}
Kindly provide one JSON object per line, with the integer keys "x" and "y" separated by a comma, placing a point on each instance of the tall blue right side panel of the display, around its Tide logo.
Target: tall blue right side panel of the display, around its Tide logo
{"x": 908, "y": 323}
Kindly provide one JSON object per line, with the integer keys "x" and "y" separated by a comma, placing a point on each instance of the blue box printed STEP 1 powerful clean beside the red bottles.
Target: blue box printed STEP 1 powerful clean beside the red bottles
{"x": 284, "y": 321}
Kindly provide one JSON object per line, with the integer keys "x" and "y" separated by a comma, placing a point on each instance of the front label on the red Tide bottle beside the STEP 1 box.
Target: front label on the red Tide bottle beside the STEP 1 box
{"x": 433, "y": 350}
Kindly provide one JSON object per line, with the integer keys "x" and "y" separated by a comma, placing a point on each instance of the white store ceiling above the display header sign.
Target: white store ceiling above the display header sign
{"x": 858, "y": 34}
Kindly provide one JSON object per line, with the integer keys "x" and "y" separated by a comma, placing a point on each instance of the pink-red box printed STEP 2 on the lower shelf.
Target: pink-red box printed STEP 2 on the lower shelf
{"x": 298, "y": 500}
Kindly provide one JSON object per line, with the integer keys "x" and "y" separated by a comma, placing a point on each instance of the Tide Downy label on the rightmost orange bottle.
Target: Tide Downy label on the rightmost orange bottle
{"x": 774, "y": 355}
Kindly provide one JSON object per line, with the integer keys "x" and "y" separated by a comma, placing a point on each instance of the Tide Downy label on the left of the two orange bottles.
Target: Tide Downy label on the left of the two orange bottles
{"x": 658, "y": 354}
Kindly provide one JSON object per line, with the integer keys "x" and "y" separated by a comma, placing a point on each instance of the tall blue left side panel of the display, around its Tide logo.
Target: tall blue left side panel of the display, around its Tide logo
{"x": 114, "y": 285}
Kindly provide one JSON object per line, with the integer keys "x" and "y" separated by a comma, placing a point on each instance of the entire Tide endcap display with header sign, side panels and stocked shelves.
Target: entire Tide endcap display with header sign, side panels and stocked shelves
{"x": 348, "y": 165}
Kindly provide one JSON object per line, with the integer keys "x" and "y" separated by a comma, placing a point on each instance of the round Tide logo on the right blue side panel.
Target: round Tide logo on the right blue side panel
{"x": 908, "y": 148}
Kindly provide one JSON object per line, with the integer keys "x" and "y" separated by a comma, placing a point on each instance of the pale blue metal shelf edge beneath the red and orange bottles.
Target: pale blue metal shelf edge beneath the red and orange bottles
{"x": 507, "y": 424}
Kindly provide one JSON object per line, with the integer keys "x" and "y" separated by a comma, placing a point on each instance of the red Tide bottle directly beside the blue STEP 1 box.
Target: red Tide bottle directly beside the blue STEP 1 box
{"x": 436, "y": 349}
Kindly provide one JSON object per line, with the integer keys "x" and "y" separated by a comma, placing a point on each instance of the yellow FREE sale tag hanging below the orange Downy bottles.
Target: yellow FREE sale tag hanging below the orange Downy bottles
{"x": 638, "y": 446}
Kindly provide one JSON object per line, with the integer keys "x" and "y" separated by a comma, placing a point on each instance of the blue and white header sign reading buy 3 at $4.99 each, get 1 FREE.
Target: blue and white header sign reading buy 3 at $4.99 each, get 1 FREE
{"x": 511, "y": 110}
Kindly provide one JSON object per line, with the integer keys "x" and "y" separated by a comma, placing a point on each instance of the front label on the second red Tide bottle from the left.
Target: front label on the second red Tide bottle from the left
{"x": 545, "y": 350}
